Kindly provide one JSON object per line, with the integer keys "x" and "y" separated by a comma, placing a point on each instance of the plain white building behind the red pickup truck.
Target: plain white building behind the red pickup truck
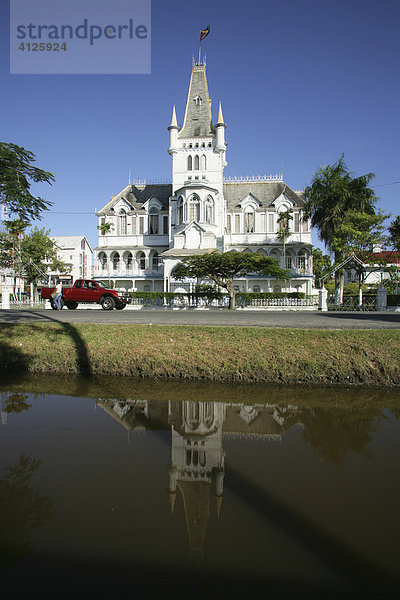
{"x": 76, "y": 252}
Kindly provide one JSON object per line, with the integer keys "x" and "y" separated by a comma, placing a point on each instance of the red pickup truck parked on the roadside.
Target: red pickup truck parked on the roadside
{"x": 87, "y": 291}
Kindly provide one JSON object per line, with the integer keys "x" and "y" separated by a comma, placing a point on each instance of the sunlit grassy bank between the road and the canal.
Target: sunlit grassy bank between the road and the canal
{"x": 225, "y": 354}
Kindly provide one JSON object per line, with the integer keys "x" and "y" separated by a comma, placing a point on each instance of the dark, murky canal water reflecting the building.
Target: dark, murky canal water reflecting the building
{"x": 144, "y": 490}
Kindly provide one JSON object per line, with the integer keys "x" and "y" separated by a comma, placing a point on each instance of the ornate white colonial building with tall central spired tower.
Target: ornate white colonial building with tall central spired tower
{"x": 146, "y": 229}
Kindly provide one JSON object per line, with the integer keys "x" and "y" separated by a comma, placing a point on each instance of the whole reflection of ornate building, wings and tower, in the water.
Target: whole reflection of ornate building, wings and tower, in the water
{"x": 197, "y": 457}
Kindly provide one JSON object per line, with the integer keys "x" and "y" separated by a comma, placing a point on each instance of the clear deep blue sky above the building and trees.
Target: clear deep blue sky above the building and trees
{"x": 301, "y": 82}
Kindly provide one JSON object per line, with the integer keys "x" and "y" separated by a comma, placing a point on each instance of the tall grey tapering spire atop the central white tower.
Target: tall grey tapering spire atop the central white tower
{"x": 197, "y": 121}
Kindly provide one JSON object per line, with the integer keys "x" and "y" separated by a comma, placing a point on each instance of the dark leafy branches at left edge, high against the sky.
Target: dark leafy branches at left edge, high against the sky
{"x": 17, "y": 173}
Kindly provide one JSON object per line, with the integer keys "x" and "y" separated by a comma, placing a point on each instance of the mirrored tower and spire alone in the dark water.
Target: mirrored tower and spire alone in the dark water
{"x": 197, "y": 462}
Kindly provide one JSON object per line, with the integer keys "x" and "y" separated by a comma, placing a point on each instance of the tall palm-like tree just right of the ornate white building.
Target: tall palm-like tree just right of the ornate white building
{"x": 333, "y": 192}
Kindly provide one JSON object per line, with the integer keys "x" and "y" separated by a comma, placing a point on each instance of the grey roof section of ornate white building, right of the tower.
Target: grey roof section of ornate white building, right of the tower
{"x": 265, "y": 192}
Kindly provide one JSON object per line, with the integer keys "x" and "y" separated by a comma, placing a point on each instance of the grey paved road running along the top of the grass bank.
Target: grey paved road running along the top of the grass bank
{"x": 253, "y": 318}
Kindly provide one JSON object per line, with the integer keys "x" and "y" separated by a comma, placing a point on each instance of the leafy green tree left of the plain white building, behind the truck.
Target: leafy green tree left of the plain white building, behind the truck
{"x": 38, "y": 253}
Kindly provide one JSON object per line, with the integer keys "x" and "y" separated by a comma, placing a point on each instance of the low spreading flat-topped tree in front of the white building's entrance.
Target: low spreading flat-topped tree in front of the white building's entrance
{"x": 222, "y": 268}
